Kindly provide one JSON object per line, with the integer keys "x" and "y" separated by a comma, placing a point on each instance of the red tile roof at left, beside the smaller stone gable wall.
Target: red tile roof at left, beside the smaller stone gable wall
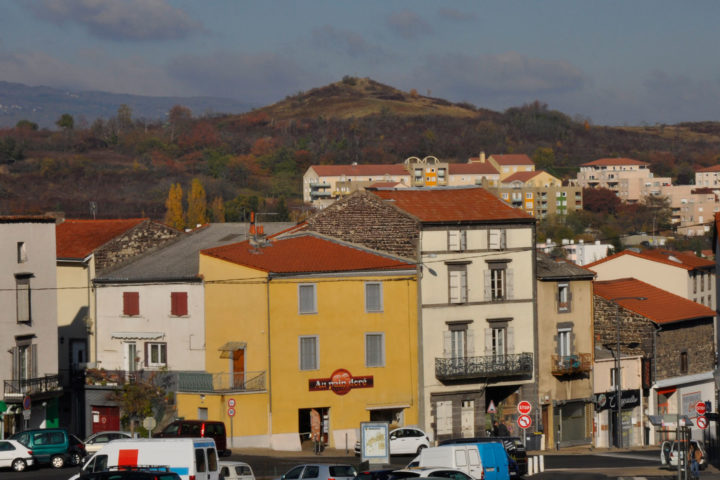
{"x": 79, "y": 238}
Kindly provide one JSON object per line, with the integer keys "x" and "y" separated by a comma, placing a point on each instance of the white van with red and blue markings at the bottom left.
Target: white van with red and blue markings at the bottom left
{"x": 190, "y": 458}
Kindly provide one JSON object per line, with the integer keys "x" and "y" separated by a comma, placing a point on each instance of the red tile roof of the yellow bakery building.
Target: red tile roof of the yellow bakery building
{"x": 306, "y": 253}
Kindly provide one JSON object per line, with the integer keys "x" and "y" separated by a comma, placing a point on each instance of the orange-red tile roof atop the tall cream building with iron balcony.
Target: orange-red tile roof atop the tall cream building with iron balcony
{"x": 471, "y": 204}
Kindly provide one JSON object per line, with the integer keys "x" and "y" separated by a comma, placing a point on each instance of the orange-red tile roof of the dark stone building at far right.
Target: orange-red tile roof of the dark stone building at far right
{"x": 660, "y": 307}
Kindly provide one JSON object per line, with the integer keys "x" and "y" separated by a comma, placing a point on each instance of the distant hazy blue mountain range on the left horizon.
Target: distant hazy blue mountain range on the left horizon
{"x": 44, "y": 105}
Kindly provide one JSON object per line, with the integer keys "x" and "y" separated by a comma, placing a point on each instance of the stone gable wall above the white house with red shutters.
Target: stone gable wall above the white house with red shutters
{"x": 144, "y": 237}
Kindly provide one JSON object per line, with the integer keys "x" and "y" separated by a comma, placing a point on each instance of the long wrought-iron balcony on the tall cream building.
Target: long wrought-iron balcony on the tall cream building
{"x": 471, "y": 368}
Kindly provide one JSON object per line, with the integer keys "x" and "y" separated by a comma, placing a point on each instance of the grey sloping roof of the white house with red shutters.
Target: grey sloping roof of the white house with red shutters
{"x": 179, "y": 260}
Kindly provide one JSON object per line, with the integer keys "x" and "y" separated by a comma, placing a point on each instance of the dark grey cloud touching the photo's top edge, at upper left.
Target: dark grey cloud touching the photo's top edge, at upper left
{"x": 136, "y": 20}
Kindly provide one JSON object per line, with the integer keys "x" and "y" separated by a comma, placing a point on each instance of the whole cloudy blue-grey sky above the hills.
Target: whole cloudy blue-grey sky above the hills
{"x": 615, "y": 62}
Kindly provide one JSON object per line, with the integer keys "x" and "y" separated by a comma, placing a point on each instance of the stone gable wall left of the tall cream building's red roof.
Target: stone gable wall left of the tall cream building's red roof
{"x": 365, "y": 219}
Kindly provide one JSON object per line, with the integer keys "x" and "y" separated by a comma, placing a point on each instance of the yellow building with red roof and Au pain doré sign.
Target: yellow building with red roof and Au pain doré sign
{"x": 322, "y": 325}
